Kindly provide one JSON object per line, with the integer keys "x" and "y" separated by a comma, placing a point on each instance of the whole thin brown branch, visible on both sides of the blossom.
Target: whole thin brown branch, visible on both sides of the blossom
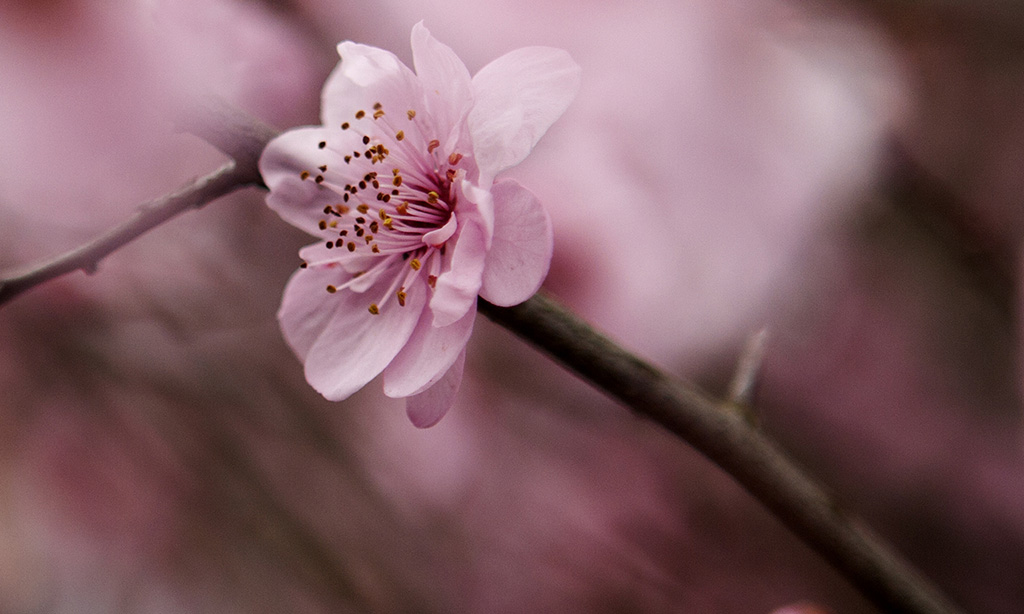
{"x": 720, "y": 434}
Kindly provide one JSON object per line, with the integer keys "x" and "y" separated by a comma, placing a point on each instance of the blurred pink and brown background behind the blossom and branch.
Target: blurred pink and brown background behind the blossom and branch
{"x": 846, "y": 173}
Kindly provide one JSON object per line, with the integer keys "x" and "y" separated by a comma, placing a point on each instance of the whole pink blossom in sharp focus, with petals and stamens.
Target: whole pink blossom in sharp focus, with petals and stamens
{"x": 399, "y": 185}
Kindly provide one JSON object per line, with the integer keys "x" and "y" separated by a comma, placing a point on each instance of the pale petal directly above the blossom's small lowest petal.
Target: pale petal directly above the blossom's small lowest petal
{"x": 428, "y": 357}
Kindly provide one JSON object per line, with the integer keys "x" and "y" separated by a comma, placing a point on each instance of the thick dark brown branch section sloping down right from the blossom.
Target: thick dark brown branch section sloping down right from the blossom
{"x": 728, "y": 440}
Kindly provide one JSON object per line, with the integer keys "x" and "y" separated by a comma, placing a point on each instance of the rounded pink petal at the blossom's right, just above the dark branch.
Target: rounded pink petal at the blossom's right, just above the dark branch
{"x": 522, "y": 249}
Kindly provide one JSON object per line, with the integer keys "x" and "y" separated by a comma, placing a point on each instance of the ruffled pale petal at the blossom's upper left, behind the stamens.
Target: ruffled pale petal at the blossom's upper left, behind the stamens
{"x": 367, "y": 76}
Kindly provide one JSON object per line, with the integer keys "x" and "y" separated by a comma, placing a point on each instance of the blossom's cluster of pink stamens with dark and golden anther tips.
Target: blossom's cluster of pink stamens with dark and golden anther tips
{"x": 402, "y": 210}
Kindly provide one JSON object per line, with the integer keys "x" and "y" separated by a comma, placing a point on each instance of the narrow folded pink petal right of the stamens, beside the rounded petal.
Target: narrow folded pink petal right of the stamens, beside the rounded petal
{"x": 456, "y": 290}
